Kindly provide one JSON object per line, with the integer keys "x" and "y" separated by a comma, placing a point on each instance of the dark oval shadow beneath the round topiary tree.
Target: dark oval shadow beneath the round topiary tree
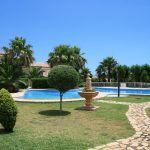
{"x": 54, "y": 113}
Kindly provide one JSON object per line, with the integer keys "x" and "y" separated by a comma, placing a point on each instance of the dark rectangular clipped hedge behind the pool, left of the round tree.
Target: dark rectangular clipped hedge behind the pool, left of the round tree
{"x": 40, "y": 83}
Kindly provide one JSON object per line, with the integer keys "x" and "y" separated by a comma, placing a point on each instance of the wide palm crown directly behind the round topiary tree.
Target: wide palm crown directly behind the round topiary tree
{"x": 66, "y": 55}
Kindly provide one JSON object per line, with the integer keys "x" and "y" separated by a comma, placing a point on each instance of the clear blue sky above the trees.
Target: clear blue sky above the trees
{"x": 101, "y": 28}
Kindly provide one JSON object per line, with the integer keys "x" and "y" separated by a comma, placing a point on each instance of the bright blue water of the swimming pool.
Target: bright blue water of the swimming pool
{"x": 54, "y": 94}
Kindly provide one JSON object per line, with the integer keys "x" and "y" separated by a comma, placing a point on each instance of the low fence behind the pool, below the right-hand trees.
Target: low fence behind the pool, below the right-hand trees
{"x": 122, "y": 84}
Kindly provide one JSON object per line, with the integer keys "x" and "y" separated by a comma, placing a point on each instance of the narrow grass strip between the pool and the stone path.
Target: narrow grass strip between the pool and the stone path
{"x": 130, "y": 99}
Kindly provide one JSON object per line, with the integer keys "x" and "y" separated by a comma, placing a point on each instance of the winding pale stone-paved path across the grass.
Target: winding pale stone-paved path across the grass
{"x": 140, "y": 122}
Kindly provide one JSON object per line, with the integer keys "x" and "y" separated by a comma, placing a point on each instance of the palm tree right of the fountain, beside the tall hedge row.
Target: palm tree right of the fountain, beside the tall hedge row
{"x": 105, "y": 69}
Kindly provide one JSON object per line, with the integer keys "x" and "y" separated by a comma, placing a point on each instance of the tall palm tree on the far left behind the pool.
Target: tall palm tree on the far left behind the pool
{"x": 15, "y": 57}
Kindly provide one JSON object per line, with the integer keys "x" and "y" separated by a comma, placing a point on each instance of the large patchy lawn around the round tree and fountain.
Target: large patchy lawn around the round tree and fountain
{"x": 41, "y": 127}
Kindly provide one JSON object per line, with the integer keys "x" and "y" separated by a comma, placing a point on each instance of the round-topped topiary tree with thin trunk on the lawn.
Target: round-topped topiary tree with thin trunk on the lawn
{"x": 63, "y": 78}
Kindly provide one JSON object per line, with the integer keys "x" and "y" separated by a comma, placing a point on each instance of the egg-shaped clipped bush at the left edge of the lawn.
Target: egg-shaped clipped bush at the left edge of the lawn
{"x": 8, "y": 110}
